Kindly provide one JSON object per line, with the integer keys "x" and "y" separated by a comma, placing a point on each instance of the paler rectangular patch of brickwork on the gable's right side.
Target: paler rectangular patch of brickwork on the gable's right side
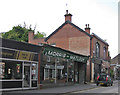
{"x": 80, "y": 45}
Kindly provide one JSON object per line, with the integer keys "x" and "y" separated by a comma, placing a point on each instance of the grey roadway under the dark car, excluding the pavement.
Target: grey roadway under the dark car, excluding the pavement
{"x": 101, "y": 89}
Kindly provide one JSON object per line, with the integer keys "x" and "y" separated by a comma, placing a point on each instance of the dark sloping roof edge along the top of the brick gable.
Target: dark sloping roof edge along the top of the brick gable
{"x": 67, "y": 22}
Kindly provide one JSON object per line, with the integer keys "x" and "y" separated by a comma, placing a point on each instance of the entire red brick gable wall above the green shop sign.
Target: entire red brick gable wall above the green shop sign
{"x": 70, "y": 38}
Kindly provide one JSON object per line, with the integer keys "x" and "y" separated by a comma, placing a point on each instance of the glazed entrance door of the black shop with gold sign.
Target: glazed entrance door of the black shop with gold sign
{"x": 27, "y": 75}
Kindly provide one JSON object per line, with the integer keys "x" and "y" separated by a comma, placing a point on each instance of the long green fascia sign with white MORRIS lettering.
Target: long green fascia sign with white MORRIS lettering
{"x": 65, "y": 55}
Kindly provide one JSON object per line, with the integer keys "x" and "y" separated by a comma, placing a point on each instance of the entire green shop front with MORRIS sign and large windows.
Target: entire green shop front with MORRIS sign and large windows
{"x": 59, "y": 66}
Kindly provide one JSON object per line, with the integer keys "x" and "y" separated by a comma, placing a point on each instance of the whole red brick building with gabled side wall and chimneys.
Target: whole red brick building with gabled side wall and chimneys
{"x": 70, "y": 37}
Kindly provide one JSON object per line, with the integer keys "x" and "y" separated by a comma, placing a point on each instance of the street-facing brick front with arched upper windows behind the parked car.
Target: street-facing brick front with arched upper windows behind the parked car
{"x": 100, "y": 60}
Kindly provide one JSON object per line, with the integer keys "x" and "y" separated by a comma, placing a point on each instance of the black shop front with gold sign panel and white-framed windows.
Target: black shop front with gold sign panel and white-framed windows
{"x": 18, "y": 65}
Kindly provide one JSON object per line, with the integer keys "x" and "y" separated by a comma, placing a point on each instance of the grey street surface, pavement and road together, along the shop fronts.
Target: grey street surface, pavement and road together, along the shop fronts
{"x": 78, "y": 89}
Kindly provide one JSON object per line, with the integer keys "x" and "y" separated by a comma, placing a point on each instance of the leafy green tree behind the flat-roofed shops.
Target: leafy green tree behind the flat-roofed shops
{"x": 20, "y": 33}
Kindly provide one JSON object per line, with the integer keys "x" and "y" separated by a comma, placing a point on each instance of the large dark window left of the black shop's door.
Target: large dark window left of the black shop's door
{"x": 11, "y": 70}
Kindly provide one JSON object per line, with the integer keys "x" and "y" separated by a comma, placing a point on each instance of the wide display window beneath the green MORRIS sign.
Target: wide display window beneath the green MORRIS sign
{"x": 57, "y": 70}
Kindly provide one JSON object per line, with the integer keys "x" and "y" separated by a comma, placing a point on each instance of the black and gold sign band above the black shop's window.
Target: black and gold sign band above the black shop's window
{"x": 19, "y": 55}
